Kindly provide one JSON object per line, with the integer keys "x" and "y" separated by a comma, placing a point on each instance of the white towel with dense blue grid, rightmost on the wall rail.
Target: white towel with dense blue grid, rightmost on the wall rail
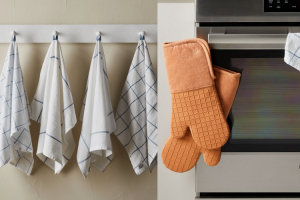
{"x": 136, "y": 116}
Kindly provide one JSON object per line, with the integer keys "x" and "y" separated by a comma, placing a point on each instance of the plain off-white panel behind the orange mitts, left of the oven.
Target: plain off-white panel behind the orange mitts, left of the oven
{"x": 175, "y": 22}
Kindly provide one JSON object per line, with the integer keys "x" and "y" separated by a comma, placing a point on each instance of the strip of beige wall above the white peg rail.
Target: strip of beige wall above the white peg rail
{"x": 78, "y": 12}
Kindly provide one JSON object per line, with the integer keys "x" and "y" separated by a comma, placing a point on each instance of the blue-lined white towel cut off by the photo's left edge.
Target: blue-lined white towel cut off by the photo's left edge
{"x": 15, "y": 139}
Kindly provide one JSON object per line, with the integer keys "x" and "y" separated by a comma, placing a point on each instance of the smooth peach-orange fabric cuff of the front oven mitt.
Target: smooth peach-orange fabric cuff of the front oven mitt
{"x": 188, "y": 65}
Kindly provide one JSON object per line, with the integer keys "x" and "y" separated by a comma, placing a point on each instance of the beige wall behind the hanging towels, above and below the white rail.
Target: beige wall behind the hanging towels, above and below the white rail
{"x": 118, "y": 181}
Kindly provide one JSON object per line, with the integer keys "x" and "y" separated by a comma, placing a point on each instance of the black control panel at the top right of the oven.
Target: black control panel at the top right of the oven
{"x": 282, "y": 5}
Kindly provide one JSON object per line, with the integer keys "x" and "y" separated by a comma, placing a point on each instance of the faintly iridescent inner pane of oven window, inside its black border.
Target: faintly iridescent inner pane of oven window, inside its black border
{"x": 267, "y": 104}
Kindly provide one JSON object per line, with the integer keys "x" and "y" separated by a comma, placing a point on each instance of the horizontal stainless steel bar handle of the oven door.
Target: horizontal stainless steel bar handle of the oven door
{"x": 247, "y": 41}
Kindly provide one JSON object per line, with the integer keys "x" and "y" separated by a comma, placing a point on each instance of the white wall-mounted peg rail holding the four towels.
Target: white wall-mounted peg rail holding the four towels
{"x": 110, "y": 33}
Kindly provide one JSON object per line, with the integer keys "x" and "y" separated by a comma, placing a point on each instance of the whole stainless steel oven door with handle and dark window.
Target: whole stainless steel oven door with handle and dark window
{"x": 261, "y": 157}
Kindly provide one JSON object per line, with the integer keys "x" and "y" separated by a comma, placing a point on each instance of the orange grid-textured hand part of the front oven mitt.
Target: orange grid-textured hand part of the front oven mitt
{"x": 199, "y": 110}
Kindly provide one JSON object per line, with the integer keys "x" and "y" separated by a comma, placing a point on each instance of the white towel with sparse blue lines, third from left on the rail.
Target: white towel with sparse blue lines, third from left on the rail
{"x": 97, "y": 117}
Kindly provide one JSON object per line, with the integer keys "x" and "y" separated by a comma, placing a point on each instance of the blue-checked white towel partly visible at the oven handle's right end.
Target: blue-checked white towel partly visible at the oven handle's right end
{"x": 292, "y": 50}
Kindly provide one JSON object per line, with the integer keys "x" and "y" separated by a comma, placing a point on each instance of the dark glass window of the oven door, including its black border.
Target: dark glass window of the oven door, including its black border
{"x": 265, "y": 116}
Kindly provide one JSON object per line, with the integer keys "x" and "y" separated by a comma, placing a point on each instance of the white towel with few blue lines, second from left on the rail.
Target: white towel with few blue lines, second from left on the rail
{"x": 53, "y": 107}
